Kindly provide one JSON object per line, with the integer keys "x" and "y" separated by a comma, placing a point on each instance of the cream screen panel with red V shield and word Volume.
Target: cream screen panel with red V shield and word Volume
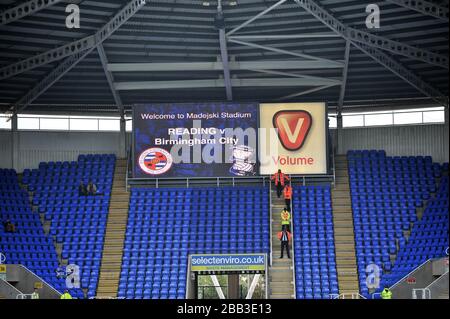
{"x": 293, "y": 138}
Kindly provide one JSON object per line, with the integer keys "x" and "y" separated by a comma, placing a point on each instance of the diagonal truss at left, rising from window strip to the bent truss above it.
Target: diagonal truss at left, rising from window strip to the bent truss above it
{"x": 43, "y": 85}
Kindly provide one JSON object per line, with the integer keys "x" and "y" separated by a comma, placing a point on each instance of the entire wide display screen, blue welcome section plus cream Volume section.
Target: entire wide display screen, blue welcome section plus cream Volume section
{"x": 229, "y": 139}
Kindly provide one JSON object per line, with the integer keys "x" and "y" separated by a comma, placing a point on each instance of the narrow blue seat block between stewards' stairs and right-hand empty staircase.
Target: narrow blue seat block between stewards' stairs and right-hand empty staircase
{"x": 315, "y": 264}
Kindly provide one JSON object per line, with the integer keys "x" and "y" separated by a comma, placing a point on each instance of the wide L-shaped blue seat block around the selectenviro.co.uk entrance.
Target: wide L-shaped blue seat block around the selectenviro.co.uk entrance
{"x": 166, "y": 225}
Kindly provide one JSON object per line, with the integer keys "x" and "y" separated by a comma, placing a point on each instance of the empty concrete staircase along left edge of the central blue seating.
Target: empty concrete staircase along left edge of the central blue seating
{"x": 115, "y": 235}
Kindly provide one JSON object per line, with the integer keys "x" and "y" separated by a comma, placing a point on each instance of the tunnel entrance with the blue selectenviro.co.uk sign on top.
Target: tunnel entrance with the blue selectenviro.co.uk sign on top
{"x": 227, "y": 276}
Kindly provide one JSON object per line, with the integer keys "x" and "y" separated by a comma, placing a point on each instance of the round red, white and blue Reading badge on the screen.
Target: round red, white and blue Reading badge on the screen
{"x": 155, "y": 161}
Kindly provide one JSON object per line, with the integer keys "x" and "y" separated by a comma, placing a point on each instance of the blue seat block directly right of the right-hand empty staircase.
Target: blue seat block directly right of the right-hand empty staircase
{"x": 385, "y": 193}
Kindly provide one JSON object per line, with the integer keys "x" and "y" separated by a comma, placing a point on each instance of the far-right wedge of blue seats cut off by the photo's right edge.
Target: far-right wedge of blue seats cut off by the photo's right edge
{"x": 429, "y": 237}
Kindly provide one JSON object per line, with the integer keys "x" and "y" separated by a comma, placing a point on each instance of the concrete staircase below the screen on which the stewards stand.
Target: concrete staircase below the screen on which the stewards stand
{"x": 280, "y": 273}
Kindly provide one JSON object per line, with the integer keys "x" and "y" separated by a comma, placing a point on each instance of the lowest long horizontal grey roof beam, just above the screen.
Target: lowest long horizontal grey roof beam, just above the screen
{"x": 220, "y": 83}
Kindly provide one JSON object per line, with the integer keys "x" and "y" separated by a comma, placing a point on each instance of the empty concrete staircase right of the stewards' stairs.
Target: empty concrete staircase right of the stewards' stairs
{"x": 344, "y": 238}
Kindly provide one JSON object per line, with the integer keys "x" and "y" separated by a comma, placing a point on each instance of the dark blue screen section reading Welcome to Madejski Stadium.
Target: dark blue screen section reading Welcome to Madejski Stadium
{"x": 195, "y": 140}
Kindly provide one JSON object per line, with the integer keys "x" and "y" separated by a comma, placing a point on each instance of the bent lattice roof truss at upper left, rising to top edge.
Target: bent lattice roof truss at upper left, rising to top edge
{"x": 74, "y": 47}
